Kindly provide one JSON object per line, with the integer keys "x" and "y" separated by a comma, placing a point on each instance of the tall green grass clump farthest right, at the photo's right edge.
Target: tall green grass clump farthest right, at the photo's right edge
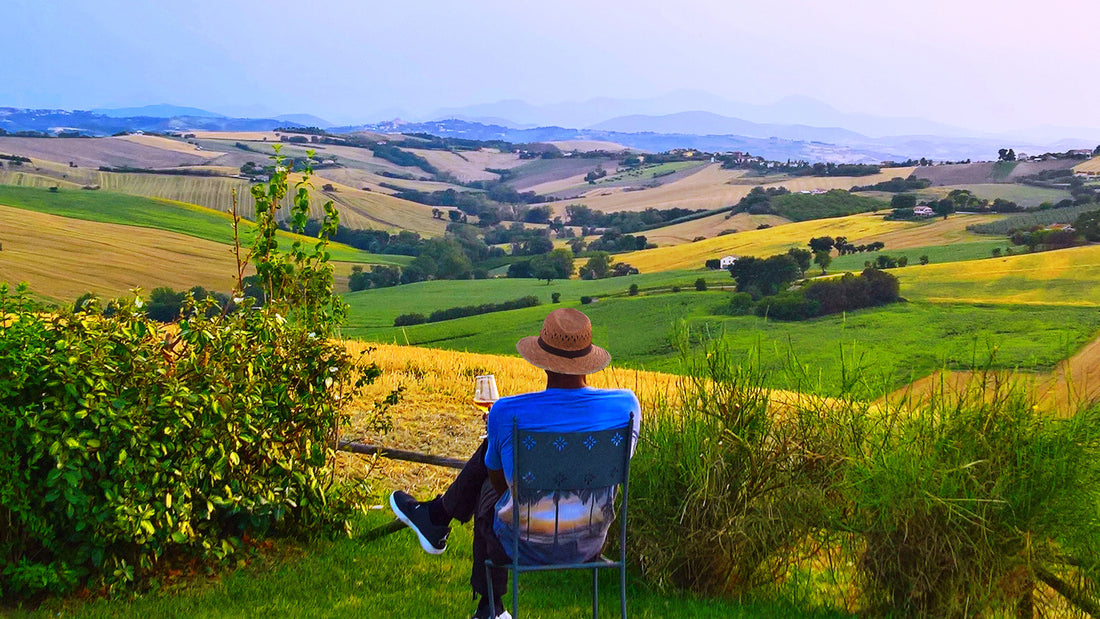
{"x": 965, "y": 500}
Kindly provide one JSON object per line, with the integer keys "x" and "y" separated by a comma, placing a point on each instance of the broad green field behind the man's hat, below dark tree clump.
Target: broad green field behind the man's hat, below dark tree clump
{"x": 890, "y": 346}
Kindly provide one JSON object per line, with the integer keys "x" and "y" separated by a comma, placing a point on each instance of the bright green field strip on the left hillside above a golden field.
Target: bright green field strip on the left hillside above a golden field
{"x": 162, "y": 215}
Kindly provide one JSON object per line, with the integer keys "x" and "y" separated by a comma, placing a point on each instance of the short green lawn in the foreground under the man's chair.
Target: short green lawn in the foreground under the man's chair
{"x": 392, "y": 578}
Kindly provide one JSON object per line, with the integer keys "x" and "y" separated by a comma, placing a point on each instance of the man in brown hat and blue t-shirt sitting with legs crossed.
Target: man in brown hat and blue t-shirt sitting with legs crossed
{"x": 565, "y": 350}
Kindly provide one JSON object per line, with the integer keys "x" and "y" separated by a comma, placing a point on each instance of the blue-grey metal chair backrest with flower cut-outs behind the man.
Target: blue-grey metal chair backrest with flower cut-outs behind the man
{"x": 571, "y": 462}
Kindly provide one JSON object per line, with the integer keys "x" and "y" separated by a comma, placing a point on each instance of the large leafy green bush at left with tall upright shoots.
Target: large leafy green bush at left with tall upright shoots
{"x": 124, "y": 447}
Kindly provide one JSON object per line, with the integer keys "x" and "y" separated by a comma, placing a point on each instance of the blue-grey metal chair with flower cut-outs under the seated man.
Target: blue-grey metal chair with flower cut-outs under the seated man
{"x": 571, "y": 462}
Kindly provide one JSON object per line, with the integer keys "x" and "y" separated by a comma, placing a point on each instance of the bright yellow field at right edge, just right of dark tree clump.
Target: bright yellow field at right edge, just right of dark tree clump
{"x": 1062, "y": 278}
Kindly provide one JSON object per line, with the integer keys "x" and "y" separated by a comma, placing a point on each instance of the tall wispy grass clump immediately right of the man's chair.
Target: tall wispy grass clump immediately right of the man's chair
{"x": 729, "y": 487}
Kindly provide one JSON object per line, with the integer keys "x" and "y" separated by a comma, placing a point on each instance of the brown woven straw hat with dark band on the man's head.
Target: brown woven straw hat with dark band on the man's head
{"x": 565, "y": 346}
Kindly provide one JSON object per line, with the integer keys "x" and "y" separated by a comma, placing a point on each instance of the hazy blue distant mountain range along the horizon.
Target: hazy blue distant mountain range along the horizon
{"x": 797, "y": 128}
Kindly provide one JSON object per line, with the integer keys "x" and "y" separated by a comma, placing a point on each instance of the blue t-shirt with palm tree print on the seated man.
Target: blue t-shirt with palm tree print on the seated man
{"x": 571, "y": 529}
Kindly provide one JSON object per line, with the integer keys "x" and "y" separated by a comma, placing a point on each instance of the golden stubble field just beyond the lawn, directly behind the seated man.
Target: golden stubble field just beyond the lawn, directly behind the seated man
{"x": 436, "y": 416}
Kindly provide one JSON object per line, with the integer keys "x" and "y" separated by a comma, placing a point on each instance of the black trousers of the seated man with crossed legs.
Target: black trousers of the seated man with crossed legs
{"x": 472, "y": 495}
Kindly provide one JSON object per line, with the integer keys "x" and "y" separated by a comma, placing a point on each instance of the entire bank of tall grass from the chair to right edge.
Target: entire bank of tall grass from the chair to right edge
{"x": 966, "y": 501}
